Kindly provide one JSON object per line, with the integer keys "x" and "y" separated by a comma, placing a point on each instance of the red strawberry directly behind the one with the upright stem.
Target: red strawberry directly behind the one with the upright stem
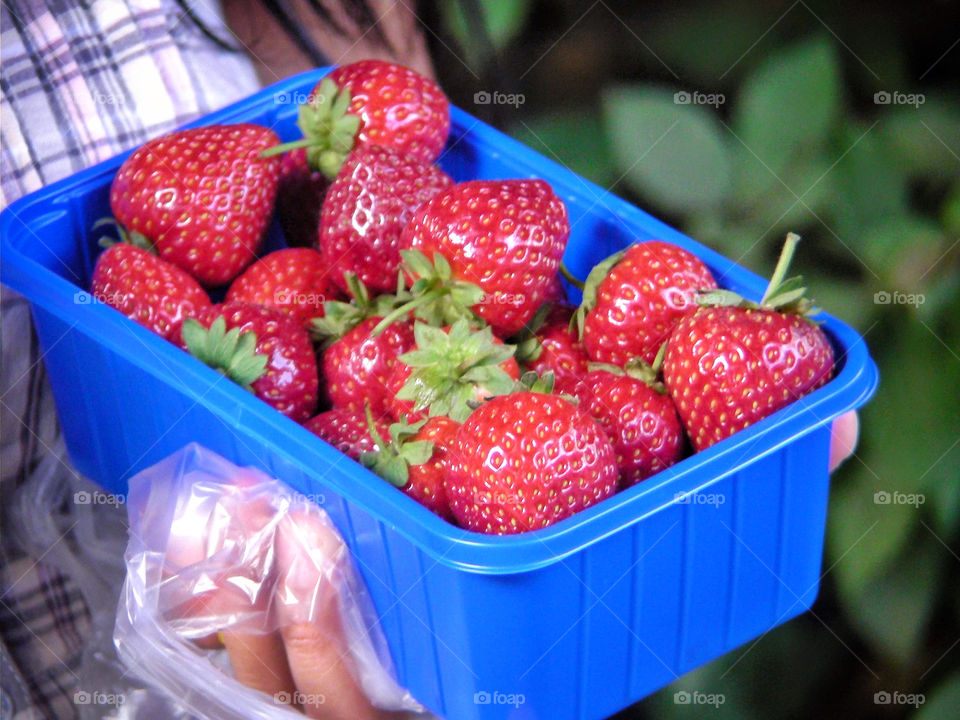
{"x": 633, "y": 299}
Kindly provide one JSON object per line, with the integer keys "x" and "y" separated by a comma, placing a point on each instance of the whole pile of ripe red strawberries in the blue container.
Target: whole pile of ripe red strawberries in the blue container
{"x": 420, "y": 325}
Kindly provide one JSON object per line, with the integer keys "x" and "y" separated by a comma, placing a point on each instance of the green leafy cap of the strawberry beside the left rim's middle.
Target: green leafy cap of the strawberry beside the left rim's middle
{"x": 230, "y": 352}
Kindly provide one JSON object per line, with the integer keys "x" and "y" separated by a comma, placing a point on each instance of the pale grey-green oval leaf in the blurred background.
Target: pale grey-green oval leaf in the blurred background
{"x": 674, "y": 154}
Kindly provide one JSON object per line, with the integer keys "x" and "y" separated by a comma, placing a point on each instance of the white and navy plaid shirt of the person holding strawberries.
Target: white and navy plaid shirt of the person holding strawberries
{"x": 79, "y": 83}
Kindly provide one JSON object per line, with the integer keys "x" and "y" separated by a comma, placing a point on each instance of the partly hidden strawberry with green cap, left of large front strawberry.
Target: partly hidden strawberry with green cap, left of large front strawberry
{"x": 415, "y": 460}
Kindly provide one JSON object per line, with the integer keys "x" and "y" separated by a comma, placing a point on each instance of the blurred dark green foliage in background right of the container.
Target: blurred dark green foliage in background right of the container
{"x": 786, "y": 132}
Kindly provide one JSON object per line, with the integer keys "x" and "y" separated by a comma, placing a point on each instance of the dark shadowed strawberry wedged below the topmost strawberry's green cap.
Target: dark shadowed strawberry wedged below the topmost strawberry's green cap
{"x": 300, "y": 194}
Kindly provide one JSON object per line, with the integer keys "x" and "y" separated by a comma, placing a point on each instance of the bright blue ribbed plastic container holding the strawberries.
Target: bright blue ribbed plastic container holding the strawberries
{"x": 576, "y": 621}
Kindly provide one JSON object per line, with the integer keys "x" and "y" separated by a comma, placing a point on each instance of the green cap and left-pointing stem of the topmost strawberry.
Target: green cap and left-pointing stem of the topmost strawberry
{"x": 328, "y": 129}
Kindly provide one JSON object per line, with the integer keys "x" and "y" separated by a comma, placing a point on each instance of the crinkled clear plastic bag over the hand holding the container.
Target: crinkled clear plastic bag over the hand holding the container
{"x": 221, "y": 551}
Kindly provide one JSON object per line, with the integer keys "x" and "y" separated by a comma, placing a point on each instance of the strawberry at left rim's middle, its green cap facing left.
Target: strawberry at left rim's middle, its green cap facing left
{"x": 261, "y": 349}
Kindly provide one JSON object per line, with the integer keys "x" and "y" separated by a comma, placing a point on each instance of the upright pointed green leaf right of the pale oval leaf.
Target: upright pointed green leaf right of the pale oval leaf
{"x": 789, "y": 103}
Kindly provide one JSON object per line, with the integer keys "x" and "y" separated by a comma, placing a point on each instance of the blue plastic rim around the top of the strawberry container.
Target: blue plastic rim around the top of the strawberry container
{"x": 853, "y": 385}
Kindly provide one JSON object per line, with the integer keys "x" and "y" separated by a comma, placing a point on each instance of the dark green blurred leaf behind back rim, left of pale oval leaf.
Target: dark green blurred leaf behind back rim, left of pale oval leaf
{"x": 575, "y": 138}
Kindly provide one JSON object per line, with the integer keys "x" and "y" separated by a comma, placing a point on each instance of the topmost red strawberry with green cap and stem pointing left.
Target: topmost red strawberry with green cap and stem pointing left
{"x": 371, "y": 102}
